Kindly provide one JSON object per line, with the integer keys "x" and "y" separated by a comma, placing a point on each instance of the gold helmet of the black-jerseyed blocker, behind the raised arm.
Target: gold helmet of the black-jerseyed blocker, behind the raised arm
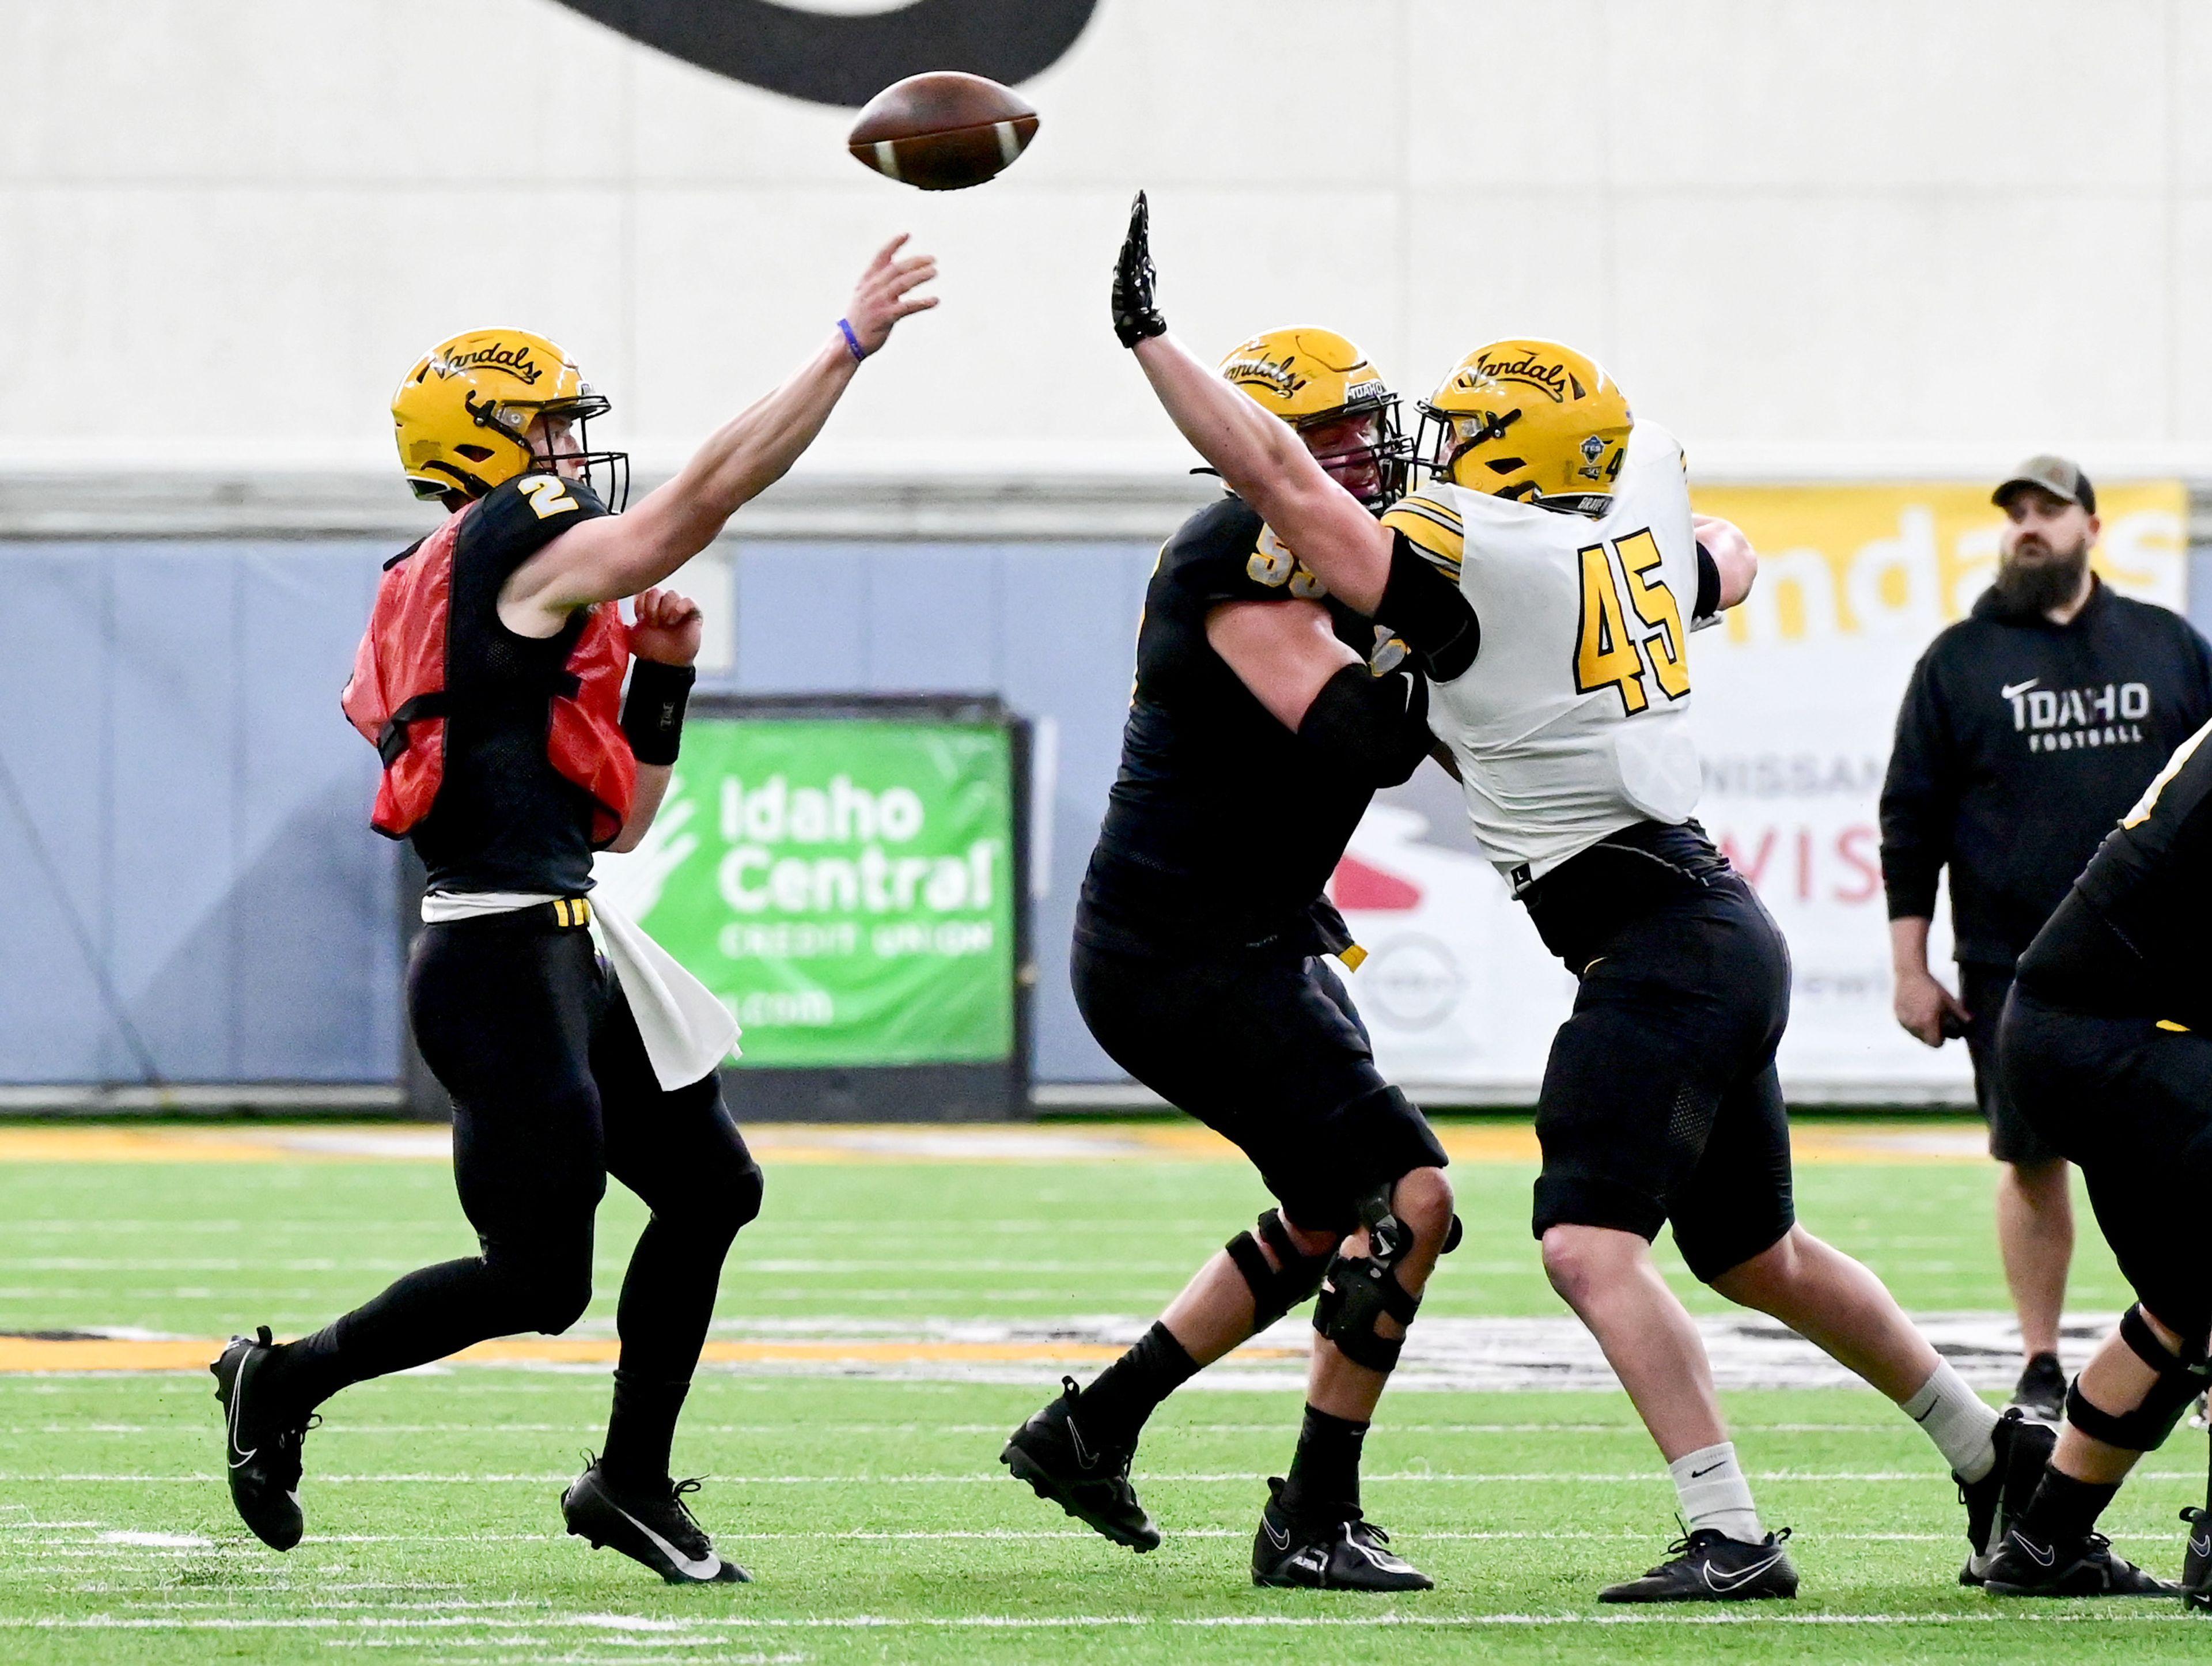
{"x": 1315, "y": 379}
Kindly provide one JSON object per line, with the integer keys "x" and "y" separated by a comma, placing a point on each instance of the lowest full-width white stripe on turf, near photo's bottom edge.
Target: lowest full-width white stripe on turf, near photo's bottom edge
{"x": 707, "y": 1625}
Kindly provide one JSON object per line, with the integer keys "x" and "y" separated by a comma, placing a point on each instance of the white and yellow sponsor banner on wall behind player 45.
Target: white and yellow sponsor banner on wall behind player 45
{"x": 1795, "y": 709}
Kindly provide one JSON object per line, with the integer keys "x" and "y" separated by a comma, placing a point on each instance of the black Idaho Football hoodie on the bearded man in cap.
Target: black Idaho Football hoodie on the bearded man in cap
{"x": 2021, "y": 745}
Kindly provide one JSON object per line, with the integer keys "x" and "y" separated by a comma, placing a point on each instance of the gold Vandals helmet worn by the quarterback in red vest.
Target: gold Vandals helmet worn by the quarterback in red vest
{"x": 463, "y": 419}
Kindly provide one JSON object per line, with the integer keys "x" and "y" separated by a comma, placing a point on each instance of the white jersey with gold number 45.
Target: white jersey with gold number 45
{"x": 1574, "y": 720}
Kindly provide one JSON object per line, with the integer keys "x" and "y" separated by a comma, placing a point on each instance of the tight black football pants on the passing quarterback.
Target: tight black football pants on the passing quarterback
{"x": 552, "y": 1094}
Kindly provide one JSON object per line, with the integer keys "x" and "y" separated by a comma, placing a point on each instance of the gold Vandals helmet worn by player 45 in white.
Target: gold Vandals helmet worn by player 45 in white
{"x": 1532, "y": 421}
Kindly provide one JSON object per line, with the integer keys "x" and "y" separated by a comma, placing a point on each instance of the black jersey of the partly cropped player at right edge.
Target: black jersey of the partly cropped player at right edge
{"x": 2129, "y": 939}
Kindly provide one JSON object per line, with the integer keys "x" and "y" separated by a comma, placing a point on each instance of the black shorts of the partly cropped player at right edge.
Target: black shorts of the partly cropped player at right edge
{"x": 2133, "y": 1107}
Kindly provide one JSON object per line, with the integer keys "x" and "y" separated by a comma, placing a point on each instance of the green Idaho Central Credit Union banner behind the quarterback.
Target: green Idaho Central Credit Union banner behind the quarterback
{"x": 846, "y": 886}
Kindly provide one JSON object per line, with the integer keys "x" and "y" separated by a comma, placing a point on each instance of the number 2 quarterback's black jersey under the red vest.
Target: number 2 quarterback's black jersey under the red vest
{"x": 505, "y": 818}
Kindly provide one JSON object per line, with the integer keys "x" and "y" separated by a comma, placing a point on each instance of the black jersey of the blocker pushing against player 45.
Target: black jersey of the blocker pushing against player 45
{"x": 1222, "y": 826}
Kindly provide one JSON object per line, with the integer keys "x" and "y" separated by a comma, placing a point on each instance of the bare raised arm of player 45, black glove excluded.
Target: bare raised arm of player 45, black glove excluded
{"x": 1264, "y": 464}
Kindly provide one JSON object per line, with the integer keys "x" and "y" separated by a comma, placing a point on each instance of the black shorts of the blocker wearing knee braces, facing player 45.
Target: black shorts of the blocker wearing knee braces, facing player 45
{"x": 1269, "y": 1052}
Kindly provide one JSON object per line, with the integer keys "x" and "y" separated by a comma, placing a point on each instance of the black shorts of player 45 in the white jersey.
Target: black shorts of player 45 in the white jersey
{"x": 1660, "y": 1101}
